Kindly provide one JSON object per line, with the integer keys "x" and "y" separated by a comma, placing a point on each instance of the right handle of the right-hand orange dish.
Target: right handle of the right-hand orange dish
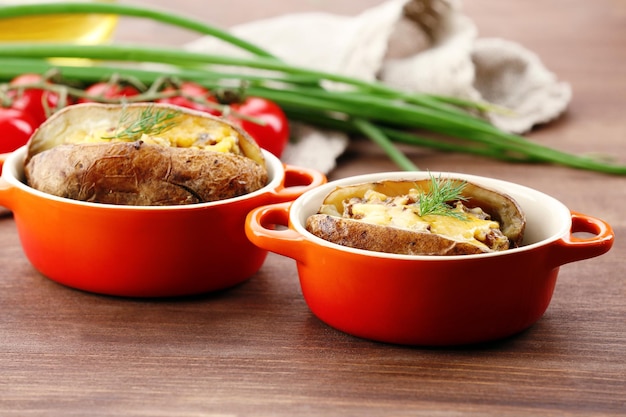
{"x": 577, "y": 247}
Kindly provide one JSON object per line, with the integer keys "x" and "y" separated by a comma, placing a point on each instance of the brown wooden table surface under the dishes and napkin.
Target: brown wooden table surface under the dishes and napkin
{"x": 257, "y": 350}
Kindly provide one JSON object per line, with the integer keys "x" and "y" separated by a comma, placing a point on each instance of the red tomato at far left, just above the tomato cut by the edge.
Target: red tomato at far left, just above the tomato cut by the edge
{"x": 32, "y": 100}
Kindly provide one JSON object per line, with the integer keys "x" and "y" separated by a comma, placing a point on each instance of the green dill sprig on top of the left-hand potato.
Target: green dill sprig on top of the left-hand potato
{"x": 151, "y": 121}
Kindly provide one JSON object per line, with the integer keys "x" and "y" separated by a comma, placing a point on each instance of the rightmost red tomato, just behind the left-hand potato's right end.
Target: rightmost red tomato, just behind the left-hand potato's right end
{"x": 273, "y": 134}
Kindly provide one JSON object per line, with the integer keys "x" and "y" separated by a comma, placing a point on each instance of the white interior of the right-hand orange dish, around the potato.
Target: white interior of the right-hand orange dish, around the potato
{"x": 547, "y": 219}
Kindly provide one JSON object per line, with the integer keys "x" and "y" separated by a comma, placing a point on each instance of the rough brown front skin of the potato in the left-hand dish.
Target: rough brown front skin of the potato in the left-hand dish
{"x": 141, "y": 174}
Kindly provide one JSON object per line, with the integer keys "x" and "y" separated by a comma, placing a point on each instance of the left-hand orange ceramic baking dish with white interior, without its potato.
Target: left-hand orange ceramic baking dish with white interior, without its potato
{"x": 144, "y": 251}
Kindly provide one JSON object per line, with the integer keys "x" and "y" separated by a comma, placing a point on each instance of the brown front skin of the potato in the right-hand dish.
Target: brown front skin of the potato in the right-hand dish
{"x": 360, "y": 235}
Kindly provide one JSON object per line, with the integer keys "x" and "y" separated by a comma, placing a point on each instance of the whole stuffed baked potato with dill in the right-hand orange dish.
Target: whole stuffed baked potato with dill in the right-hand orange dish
{"x": 427, "y": 217}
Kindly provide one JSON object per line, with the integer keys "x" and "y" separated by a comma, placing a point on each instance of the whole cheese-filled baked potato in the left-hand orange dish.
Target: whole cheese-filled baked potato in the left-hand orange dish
{"x": 142, "y": 154}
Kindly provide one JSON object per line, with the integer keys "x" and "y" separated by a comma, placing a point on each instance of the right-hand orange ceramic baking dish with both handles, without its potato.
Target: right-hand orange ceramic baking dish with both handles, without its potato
{"x": 431, "y": 300}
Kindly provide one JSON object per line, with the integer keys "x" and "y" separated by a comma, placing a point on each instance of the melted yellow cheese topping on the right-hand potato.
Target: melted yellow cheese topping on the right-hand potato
{"x": 403, "y": 212}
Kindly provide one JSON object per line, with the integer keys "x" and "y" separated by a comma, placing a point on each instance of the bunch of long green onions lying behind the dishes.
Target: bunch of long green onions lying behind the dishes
{"x": 377, "y": 111}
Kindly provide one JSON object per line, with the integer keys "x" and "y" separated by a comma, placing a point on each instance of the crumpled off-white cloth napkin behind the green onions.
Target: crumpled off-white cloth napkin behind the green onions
{"x": 426, "y": 46}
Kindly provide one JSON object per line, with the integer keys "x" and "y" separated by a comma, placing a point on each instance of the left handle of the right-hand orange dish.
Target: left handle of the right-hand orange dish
{"x": 261, "y": 230}
